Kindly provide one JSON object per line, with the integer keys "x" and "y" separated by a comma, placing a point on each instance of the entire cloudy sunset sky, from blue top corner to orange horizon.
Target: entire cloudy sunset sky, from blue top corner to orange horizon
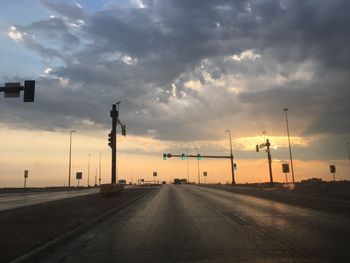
{"x": 185, "y": 71}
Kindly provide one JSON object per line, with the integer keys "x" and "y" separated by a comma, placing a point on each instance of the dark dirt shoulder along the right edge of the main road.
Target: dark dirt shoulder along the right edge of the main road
{"x": 331, "y": 197}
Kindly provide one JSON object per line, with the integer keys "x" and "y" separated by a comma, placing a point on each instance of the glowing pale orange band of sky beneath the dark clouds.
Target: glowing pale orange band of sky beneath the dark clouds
{"x": 46, "y": 155}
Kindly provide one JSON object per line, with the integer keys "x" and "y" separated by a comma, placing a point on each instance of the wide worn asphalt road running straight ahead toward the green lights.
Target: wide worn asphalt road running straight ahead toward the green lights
{"x": 182, "y": 223}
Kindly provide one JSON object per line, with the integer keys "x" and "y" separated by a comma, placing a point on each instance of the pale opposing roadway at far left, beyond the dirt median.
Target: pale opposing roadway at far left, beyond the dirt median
{"x": 14, "y": 200}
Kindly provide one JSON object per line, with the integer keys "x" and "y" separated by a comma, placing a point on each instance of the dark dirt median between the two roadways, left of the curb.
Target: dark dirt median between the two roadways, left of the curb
{"x": 23, "y": 229}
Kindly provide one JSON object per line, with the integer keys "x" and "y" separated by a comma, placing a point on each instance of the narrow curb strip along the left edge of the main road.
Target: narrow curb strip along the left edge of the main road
{"x": 42, "y": 251}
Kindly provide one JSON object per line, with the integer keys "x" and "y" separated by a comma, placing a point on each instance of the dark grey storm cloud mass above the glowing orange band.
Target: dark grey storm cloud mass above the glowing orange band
{"x": 147, "y": 56}
